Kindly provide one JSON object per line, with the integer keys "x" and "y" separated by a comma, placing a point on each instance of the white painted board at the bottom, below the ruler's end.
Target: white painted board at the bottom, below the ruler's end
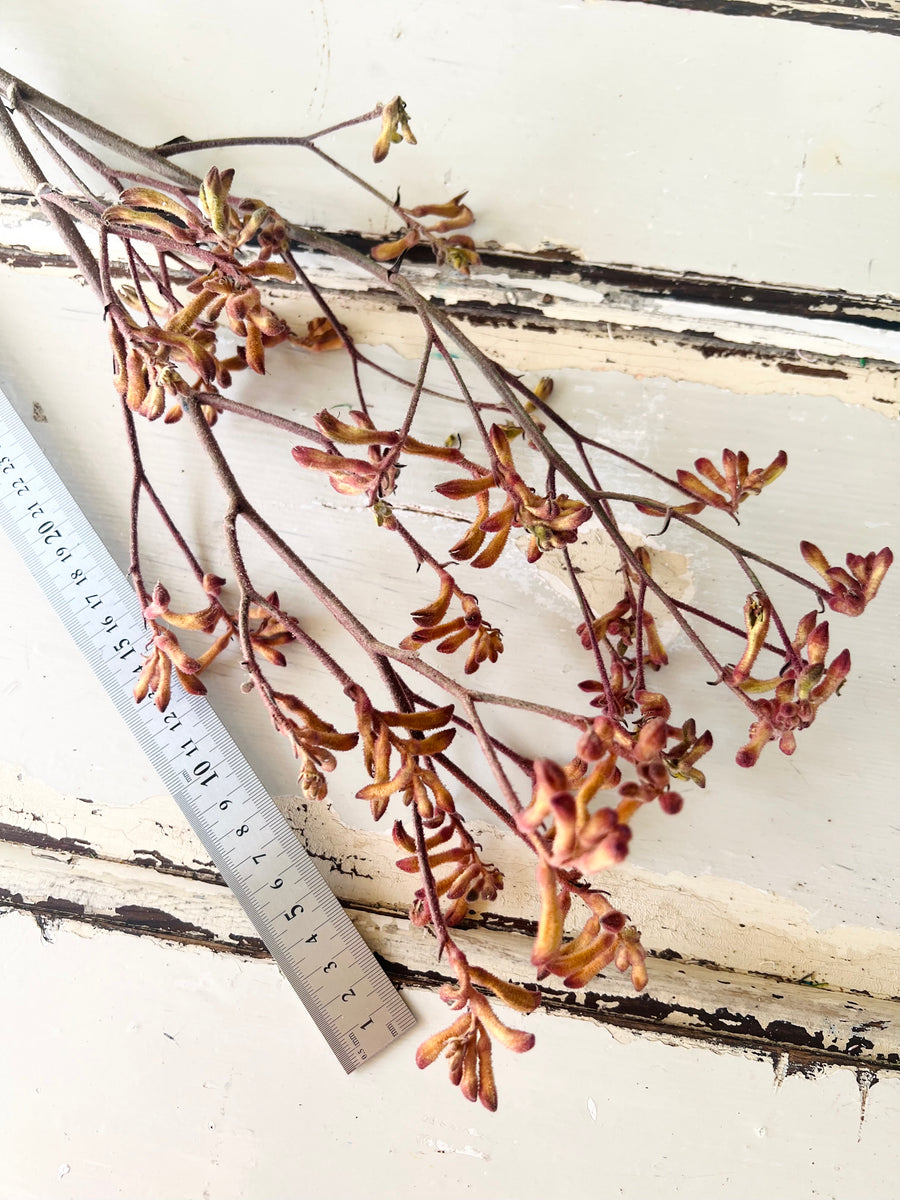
{"x": 142, "y": 1070}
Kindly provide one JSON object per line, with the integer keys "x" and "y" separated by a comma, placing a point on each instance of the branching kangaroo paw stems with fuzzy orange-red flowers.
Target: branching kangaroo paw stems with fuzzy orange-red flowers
{"x": 199, "y": 260}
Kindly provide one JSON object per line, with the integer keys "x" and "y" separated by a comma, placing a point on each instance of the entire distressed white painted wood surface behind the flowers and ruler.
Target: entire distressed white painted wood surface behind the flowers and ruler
{"x": 635, "y": 134}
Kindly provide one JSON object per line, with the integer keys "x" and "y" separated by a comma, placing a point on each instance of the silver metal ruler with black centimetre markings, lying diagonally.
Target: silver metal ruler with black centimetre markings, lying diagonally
{"x": 307, "y": 931}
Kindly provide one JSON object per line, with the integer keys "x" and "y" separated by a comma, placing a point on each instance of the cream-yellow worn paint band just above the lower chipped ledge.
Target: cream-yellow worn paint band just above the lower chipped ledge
{"x": 687, "y": 920}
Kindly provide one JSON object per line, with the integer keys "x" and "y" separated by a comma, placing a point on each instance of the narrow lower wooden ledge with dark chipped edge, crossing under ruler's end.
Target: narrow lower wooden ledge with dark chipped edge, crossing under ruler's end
{"x": 683, "y": 999}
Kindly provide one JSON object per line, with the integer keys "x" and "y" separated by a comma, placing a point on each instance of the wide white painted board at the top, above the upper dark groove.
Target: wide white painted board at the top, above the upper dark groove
{"x": 631, "y": 133}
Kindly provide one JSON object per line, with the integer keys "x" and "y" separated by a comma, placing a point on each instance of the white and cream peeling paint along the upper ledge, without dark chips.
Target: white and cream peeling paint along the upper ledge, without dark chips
{"x": 647, "y": 341}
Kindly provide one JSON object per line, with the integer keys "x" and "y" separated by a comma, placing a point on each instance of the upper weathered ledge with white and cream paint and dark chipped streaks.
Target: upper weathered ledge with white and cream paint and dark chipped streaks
{"x": 598, "y": 319}
